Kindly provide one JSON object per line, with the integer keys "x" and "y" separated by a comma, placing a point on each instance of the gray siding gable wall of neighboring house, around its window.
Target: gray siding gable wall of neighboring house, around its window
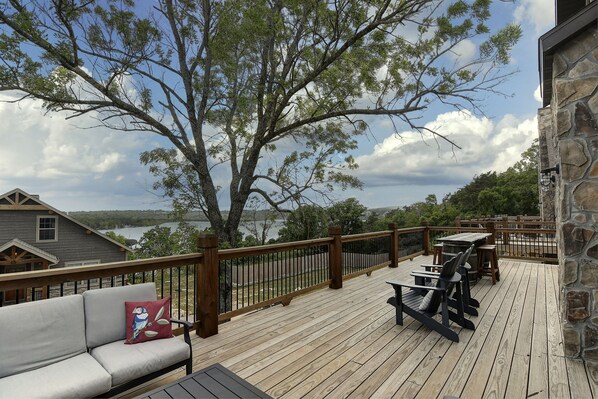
{"x": 73, "y": 243}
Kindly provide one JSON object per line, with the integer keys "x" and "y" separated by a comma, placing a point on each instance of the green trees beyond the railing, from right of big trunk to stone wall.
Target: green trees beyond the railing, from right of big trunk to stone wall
{"x": 512, "y": 192}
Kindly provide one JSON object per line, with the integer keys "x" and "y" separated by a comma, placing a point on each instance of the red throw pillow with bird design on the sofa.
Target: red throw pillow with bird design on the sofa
{"x": 148, "y": 320}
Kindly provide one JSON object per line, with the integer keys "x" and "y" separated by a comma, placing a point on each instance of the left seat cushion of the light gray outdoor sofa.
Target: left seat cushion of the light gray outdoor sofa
{"x": 78, "y": 377}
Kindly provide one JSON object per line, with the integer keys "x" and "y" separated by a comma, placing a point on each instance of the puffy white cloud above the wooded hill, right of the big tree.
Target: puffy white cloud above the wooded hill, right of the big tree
{"x": 425, "y": 160}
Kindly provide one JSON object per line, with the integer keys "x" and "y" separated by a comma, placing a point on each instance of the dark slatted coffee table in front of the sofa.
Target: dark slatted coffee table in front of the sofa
{"x": 215, "y": 381}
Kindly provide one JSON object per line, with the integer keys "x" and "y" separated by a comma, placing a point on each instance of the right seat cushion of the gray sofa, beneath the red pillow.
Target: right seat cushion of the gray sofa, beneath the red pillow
{"x": 127, "y": 362}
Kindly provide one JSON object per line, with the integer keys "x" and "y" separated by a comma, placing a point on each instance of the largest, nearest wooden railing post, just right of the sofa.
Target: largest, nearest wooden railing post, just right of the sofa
{"x": 206, "y": 290}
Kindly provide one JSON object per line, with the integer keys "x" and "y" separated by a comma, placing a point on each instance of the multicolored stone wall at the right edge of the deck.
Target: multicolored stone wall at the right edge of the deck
{"x": 574, "y": 114}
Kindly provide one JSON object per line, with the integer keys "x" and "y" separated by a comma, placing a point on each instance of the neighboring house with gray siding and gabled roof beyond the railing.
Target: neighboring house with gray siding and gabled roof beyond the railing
{"x": 37, "y": 236}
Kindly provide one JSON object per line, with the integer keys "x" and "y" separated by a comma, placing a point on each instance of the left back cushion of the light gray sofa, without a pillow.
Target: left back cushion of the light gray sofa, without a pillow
{"x": 36, "y": 334}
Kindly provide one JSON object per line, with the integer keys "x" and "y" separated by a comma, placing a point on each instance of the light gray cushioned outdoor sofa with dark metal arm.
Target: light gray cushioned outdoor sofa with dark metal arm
{"x": 73, "y": 346}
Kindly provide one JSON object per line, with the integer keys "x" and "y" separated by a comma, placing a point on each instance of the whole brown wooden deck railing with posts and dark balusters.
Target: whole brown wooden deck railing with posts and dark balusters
{"x": 215, "y": 285}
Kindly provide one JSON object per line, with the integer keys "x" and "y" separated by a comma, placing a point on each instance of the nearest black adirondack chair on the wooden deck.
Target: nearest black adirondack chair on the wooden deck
{"x": 410, "y": 301}
